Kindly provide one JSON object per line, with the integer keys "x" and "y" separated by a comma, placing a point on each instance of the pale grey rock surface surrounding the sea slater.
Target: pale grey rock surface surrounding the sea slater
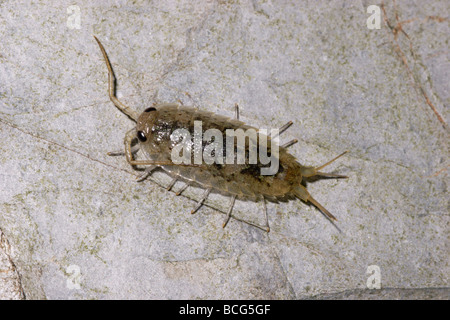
{"x": 80, "y": 227}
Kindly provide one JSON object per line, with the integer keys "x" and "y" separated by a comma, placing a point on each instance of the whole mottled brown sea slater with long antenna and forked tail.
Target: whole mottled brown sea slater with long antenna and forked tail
{"x": 154, "y": 136}
